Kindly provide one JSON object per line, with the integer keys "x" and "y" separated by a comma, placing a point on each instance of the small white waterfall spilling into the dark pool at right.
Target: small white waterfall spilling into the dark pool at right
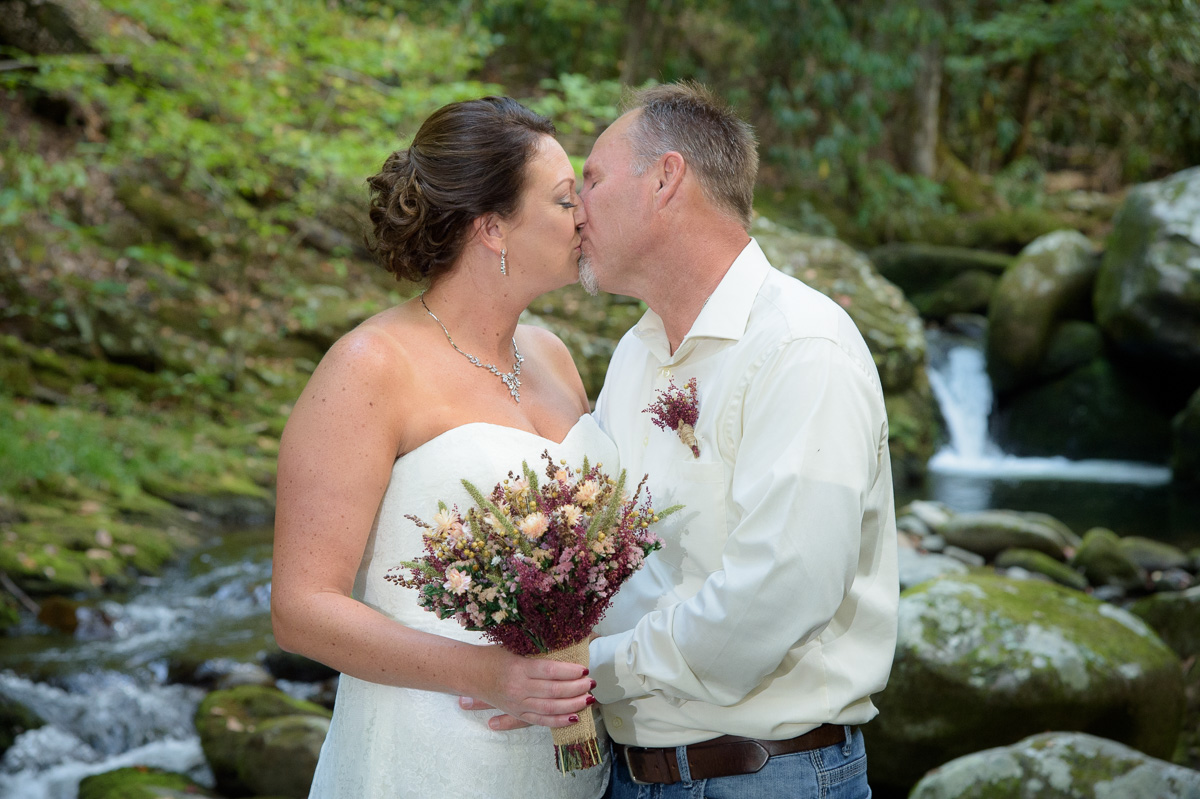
{"x": 958, "y": 375}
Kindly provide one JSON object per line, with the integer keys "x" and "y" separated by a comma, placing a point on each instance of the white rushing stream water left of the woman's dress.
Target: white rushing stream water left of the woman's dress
{"x": 110, "y": 705}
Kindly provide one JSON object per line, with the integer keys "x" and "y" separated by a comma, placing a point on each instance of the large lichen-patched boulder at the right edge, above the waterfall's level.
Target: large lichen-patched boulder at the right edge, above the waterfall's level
{"x": 1148, "y": 293}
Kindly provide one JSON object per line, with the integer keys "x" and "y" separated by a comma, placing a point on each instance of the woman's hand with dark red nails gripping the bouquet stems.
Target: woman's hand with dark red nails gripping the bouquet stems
{"x": 531, "y": 692}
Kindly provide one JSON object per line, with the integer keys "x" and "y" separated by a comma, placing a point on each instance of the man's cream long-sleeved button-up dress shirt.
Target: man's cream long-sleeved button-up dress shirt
{"x": 772, "y": 606}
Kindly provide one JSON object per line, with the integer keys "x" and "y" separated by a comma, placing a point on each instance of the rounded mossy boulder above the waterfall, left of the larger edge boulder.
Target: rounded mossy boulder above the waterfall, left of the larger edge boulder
{"x": 1052, "y": 280}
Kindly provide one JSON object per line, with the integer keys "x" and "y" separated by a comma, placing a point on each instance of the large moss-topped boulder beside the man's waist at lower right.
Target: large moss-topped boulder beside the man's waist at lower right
{"x": 985, "y": 662}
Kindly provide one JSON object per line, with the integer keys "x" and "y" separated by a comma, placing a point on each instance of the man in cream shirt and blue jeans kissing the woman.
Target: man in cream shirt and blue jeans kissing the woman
{"x": 769, "y": 620}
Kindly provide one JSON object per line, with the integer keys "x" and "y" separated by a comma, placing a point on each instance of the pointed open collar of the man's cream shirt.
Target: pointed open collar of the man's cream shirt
{"x": 727, "y": 311}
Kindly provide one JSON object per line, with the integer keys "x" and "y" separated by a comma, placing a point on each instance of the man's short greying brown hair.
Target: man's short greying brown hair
{"x": 713, "y": 141}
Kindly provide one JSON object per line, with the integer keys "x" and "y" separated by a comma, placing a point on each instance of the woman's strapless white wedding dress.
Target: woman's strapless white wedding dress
{"x": 391, "y": 743}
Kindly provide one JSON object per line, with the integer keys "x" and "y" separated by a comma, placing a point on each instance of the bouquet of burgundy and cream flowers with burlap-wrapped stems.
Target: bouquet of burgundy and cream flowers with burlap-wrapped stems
{"x": 535, "y": 564}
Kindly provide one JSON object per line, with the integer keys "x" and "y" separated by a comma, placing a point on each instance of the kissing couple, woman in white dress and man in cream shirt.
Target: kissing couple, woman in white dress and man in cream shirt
{"x": 740, "y": 663}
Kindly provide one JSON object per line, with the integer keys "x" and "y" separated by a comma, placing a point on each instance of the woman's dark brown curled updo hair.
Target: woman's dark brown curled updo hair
{"x": 469, "y": 159}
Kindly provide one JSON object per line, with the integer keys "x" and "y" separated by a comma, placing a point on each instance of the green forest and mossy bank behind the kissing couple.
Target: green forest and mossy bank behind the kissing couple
{"x": 182, "y": 194}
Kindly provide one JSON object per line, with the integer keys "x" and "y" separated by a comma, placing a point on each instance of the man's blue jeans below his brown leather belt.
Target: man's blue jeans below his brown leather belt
{"x": 837, "y": 772}
